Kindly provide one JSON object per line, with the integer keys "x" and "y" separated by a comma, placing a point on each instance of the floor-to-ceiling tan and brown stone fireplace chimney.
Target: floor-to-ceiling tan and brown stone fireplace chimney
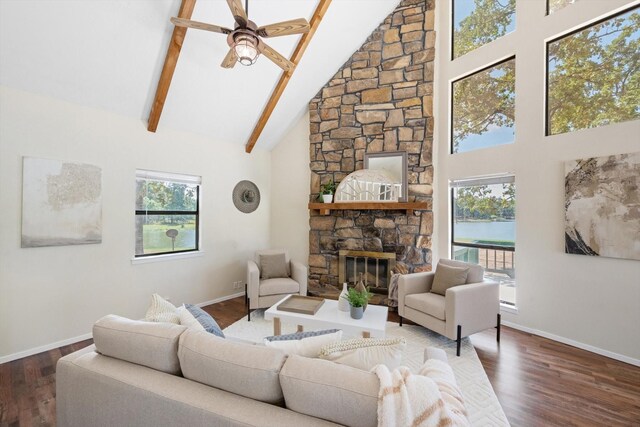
{"x": 379, "y": 101}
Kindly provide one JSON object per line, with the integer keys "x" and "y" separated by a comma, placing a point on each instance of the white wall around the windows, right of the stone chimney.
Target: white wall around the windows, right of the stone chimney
{"x": 589, "y": 302}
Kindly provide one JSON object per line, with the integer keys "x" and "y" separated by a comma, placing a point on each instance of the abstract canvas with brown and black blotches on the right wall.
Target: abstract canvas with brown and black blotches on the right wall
{"x": 602, "y": 206}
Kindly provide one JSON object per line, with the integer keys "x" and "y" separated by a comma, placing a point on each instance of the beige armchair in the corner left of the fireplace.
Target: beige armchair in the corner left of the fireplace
{"x": 270, "y": 276}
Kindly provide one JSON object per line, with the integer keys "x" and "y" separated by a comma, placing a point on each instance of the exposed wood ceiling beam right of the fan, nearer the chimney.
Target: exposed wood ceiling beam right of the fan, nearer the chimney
{"x": 286, "y": 76}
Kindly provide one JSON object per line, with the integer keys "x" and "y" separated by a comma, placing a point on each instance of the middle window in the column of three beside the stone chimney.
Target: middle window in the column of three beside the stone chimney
{"x": 483, "y": 107}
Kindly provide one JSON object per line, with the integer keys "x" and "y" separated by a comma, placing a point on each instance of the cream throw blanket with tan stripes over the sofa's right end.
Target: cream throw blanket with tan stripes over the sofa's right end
{"x": 430, "y": 398}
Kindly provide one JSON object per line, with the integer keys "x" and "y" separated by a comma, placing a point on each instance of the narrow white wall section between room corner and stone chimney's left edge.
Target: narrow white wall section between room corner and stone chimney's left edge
{"x": 290, "y": 191}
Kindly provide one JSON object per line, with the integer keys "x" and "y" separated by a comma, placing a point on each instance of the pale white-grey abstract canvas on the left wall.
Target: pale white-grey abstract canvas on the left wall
{"x": 61, "y": 203}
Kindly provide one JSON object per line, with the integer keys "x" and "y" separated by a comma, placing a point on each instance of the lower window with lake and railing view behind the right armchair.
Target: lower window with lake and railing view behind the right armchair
{"x": 484, "y": 229}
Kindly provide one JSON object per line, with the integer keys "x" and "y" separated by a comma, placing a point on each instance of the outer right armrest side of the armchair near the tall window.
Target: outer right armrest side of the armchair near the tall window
{"x": 474, "y": 306}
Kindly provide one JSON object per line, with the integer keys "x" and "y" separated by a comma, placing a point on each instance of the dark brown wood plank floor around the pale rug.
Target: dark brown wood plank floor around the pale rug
{"x": 539, "y": 382}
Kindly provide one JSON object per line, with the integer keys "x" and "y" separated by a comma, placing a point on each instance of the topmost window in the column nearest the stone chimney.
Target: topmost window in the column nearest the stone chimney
{"x": 478, "y": 22}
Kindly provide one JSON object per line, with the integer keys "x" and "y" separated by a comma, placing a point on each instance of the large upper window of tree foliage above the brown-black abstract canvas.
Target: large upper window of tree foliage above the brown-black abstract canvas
{"x": 594, "y": 75}
